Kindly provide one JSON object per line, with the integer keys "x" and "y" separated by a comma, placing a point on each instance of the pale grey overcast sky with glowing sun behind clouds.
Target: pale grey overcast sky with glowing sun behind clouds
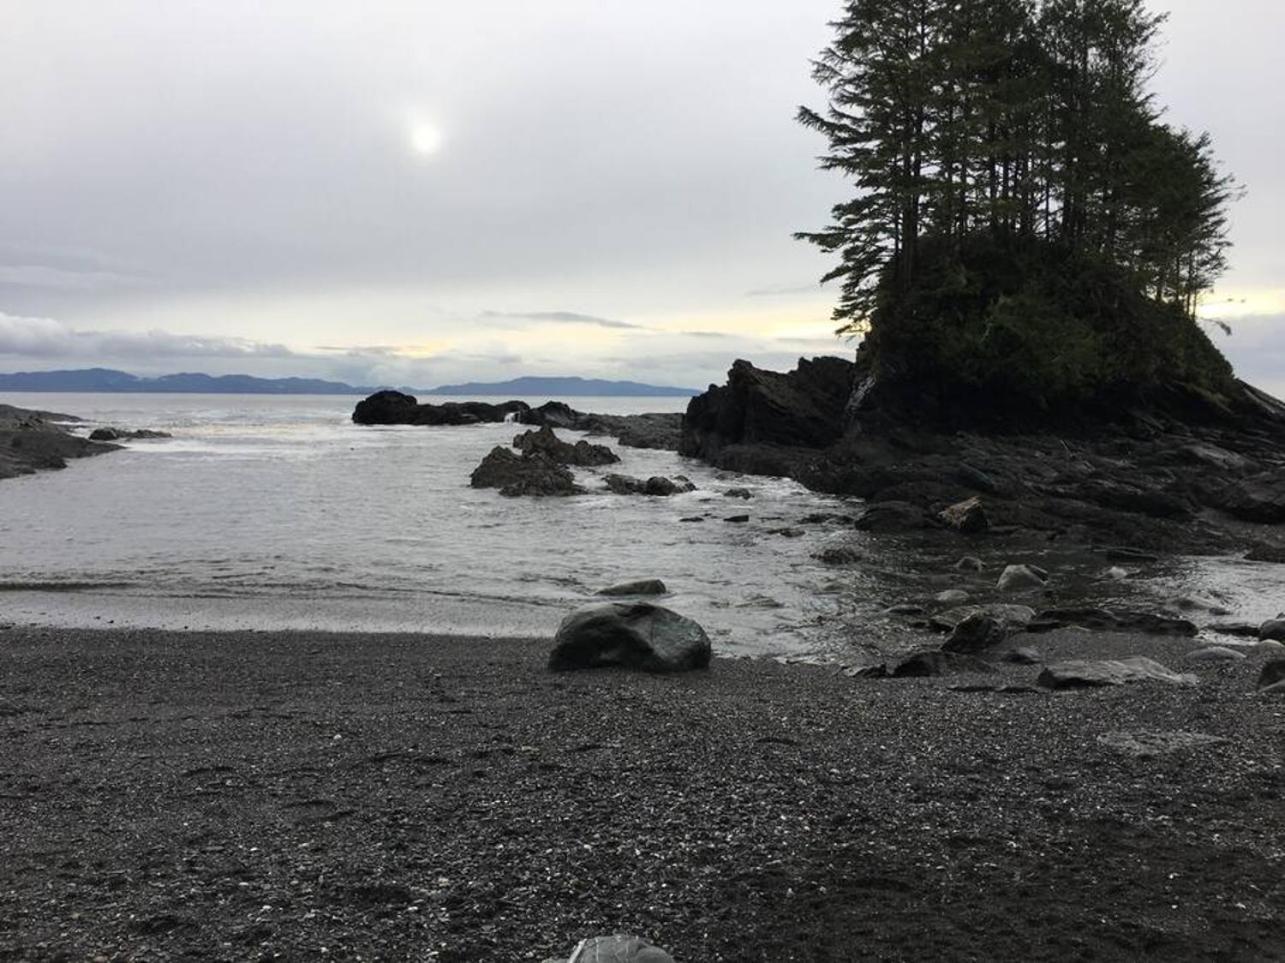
{"x": 429, "y": 192}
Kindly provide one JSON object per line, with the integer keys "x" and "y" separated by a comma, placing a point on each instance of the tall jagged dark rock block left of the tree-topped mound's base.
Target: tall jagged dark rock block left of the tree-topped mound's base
{"x": 800, "y": 409}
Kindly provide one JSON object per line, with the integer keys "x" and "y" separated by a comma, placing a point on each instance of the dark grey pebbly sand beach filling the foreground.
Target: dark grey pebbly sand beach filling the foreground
{"x": 228, "y": 798}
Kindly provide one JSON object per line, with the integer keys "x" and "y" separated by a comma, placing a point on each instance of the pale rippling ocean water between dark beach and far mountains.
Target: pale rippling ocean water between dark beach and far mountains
{"x": 267, "y": 512}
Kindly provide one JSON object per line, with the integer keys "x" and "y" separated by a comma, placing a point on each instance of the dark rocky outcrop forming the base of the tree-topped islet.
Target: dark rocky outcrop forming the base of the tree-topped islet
{"x": 1165, "y": 474}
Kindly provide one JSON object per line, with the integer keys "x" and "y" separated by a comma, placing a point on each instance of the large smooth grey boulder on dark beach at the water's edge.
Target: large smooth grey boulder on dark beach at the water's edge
{"x": 638, "y": 636}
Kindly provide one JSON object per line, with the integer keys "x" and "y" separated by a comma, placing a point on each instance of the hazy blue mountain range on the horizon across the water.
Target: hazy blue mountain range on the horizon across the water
{"x": 105, "y": 380}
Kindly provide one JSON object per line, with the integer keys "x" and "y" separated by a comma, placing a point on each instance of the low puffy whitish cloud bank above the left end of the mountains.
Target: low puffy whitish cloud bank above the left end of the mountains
{"x": 47, "y": 339}
